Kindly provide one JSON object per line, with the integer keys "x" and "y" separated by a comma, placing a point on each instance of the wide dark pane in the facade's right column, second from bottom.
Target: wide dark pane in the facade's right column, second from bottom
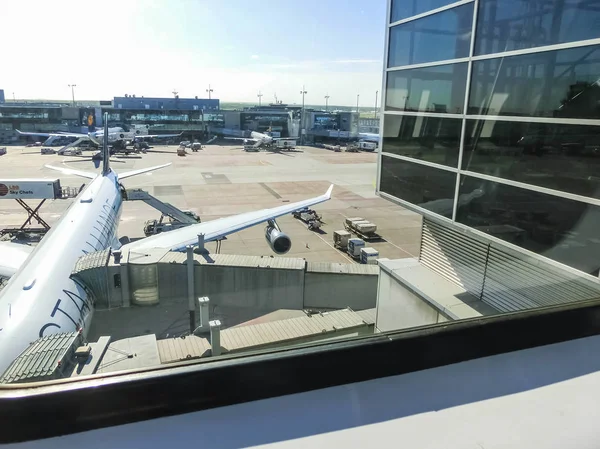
{"x": 561, "y": 157}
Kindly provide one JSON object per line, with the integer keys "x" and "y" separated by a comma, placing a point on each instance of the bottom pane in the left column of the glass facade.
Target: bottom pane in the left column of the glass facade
{"x": 427, "y": 187}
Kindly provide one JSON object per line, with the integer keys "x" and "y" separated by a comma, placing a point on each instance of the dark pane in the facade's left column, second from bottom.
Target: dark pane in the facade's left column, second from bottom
{"x": 431, "y": 139}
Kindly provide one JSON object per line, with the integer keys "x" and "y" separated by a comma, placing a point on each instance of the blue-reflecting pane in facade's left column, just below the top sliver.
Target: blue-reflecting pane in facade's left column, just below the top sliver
{"x": 446, "y": 35}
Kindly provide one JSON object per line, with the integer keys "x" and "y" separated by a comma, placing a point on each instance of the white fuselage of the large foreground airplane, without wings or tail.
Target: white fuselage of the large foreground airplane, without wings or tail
{"x": 41, "y": 298}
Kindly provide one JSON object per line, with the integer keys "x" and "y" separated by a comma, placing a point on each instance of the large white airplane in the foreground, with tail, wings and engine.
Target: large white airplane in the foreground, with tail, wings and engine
{"x": 41, "y": 298}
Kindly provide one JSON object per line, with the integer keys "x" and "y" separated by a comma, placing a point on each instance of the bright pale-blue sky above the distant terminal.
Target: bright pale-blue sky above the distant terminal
{"x": 154, "y": 47}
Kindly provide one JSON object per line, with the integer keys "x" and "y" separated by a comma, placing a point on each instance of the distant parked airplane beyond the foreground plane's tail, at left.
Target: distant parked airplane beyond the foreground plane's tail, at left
{"x": 119, "y": 137}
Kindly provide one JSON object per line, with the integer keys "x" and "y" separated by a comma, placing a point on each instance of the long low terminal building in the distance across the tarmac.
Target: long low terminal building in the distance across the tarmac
{"x": 196, "y": 118}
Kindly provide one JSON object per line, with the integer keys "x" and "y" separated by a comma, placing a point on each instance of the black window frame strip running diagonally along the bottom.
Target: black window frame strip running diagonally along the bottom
{"x": 66, "y": 407}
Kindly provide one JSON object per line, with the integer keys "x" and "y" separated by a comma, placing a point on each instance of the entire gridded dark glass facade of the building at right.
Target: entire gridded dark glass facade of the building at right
{"x": 521, "y": 131}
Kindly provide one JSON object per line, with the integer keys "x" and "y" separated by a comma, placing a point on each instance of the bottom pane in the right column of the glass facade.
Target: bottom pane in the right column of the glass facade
{"x": 564, "y": 230}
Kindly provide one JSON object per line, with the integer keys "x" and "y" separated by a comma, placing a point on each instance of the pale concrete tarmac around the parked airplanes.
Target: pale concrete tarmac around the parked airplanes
{"x": 225, "y": 180}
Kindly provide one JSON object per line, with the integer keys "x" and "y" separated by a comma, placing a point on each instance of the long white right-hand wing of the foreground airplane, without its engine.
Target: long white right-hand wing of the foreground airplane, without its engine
{"x": 178, "y": 239}
